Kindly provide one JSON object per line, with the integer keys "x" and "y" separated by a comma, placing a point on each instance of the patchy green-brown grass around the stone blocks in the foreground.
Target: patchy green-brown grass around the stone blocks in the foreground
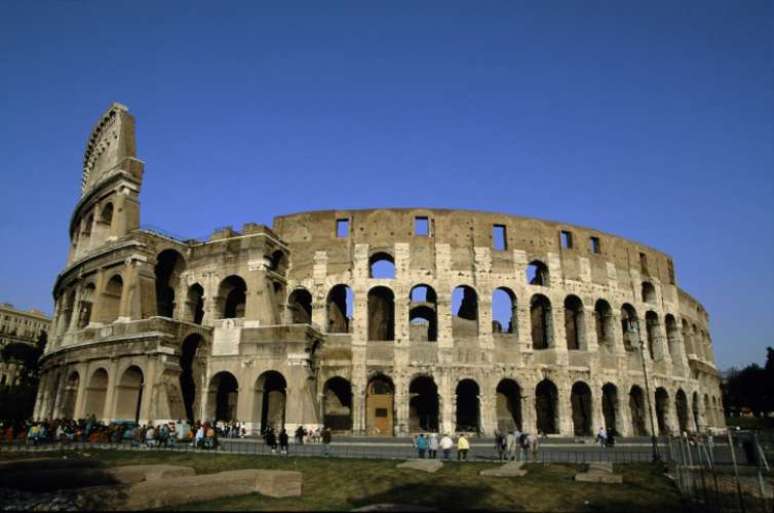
{"x": 341, "y": 484}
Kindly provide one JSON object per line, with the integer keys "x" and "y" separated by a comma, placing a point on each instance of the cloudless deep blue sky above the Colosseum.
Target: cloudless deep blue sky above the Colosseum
{"x": 652, "y": 119}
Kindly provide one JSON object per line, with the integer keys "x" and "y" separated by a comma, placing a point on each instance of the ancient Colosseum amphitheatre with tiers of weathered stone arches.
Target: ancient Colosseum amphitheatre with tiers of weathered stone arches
{"x": 380, "y": 322}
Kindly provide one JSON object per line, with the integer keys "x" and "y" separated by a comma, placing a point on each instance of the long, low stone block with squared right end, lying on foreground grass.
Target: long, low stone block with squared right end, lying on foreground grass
{"x": 161, "y": 493}
